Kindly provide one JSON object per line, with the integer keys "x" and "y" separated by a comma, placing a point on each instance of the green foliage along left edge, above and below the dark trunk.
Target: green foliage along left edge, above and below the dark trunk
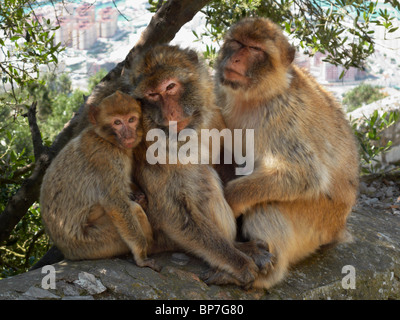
{"x": 27, "y": 48}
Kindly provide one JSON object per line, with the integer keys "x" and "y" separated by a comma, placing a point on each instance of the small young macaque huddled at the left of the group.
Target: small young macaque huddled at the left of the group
{"x": 85, "y": 194}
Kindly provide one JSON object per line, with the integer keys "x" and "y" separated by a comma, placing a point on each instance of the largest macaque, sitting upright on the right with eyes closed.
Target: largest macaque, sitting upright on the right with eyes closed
{"x": 305, "y": 177}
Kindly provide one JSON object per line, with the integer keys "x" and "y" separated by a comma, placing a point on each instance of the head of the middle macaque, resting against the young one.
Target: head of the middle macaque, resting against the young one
{"x": 168, "y": 82}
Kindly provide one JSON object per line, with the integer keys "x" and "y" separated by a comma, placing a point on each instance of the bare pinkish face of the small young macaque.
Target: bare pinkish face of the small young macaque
{"x": 125, "y": 129}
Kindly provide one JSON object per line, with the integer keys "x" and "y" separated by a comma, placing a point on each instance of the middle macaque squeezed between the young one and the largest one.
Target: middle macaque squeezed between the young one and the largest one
{"x": 186, "y": 205}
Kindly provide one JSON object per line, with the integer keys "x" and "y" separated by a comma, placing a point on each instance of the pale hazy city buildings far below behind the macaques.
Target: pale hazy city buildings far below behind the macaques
{"x": 99, "y": 34}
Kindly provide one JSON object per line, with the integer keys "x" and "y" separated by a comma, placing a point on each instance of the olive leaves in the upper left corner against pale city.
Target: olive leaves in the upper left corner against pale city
{"x": 26, "y": 43}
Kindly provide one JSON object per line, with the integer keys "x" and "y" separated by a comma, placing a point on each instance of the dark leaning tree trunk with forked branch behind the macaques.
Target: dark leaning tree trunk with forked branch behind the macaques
{"x": 162, "y": 29}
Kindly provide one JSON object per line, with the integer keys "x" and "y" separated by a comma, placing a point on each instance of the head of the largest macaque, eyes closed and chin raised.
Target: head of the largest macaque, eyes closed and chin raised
{"x": 255, "y": 51}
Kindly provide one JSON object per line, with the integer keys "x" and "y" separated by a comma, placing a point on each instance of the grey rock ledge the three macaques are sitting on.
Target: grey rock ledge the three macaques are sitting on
{"x": 374, "y": 257}
